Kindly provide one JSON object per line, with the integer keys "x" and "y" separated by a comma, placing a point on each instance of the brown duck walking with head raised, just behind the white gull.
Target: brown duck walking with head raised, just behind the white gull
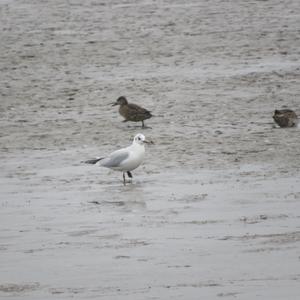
{"x": 132, "y": 112}
